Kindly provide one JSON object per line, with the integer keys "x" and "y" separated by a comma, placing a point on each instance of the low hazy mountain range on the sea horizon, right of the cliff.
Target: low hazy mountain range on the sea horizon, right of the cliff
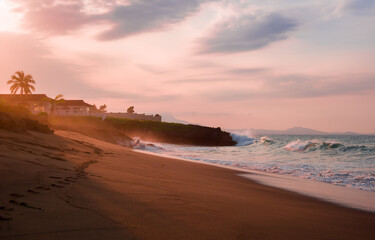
{"x": 289, "y": 131}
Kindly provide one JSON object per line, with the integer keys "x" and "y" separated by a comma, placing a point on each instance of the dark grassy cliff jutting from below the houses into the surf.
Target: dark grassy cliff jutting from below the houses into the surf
{"x": 146, "y": 130}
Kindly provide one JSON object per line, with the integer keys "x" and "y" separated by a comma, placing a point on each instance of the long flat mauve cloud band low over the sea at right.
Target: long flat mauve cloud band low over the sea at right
{"x": 292, "y": 86}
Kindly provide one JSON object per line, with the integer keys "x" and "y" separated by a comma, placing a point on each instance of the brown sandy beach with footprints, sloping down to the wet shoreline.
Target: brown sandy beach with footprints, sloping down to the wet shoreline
{"x": 69, "y": 186}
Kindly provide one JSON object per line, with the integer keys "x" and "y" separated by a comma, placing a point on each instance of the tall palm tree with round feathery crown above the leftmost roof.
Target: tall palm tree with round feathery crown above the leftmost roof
{"x": 21, "y": 82}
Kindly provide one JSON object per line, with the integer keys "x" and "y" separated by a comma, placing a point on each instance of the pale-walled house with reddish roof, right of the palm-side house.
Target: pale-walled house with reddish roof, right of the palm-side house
{"x": 73, "y": 107}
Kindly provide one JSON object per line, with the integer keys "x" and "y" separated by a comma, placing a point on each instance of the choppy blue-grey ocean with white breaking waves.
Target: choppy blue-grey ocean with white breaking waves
{"x": 340, "y": 160}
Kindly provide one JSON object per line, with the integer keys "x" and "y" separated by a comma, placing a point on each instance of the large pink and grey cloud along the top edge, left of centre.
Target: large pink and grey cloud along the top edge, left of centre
{"x": 55, "y": 17}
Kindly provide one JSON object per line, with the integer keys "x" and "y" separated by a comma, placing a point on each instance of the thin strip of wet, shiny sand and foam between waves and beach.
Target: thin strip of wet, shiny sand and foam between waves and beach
{"x": 340, "y": 195}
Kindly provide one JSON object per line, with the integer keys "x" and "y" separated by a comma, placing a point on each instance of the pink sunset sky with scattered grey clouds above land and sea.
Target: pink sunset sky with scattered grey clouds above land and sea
{"x": 234, "y": 64}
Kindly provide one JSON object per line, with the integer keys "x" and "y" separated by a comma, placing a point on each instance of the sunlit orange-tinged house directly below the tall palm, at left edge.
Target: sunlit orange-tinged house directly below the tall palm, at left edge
{"x": 34, "y": 102}
